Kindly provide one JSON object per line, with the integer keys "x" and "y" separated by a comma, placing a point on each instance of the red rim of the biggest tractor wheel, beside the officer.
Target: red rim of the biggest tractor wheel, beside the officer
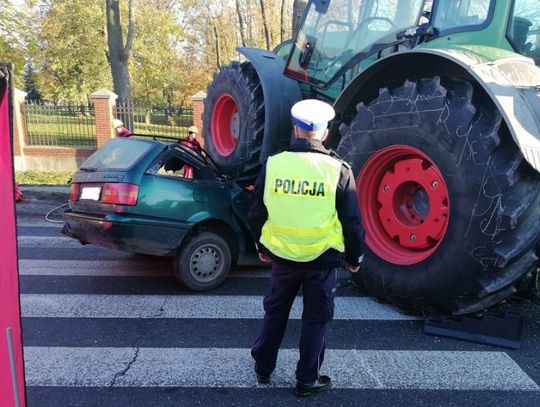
{"x": 404, "y": 203}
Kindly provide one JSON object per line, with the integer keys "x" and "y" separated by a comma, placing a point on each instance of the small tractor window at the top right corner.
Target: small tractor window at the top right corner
{"x": 524, "y": 28}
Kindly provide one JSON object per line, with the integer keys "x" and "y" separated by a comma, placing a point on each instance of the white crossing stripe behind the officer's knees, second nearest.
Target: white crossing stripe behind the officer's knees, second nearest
{"x": 188, "y": 306}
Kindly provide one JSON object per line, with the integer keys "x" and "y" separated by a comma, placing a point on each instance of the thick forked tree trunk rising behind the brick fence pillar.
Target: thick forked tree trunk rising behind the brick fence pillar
{"x": 119, "y": 52}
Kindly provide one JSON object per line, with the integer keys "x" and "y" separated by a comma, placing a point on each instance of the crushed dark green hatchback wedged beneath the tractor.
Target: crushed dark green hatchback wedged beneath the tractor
{"x": 131, "y": 195}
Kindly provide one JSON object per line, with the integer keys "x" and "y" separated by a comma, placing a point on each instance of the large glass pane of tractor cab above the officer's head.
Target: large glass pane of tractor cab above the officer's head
{"x": 335, "y": 31}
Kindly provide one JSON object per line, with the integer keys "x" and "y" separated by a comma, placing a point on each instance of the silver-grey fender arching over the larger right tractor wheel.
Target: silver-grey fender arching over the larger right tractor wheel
{"x": 512, "y": 83}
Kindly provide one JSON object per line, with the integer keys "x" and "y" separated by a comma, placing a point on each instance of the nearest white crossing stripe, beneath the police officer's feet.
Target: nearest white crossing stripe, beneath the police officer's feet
{"x": 233, "y": 368}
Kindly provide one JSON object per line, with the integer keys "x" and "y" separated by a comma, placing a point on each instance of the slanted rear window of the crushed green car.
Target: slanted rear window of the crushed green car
{"x": 117, "y": 154}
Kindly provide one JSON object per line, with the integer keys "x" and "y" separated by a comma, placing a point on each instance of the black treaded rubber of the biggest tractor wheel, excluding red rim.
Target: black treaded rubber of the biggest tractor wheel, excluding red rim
{"x": 501, "y": 222}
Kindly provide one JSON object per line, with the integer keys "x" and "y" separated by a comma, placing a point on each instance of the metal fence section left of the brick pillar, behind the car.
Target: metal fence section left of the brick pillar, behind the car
{"x": 59, "y": 125}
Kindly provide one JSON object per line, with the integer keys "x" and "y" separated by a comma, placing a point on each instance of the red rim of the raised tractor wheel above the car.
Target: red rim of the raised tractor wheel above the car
{"x": 225, "y": 124}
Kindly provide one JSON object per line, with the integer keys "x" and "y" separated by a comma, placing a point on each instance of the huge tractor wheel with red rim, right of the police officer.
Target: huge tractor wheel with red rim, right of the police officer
{"x": 450, "y": 208}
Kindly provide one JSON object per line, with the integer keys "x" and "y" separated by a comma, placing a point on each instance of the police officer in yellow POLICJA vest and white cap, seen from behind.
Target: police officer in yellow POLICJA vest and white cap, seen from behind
{"x": 305, "y": 217}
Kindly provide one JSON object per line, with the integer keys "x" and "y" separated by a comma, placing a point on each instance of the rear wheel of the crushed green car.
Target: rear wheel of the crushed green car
{"x": 203, "y": 262}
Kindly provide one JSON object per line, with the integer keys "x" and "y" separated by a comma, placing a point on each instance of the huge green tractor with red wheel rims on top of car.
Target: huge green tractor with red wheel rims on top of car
{"x": 438, "y": 113}
